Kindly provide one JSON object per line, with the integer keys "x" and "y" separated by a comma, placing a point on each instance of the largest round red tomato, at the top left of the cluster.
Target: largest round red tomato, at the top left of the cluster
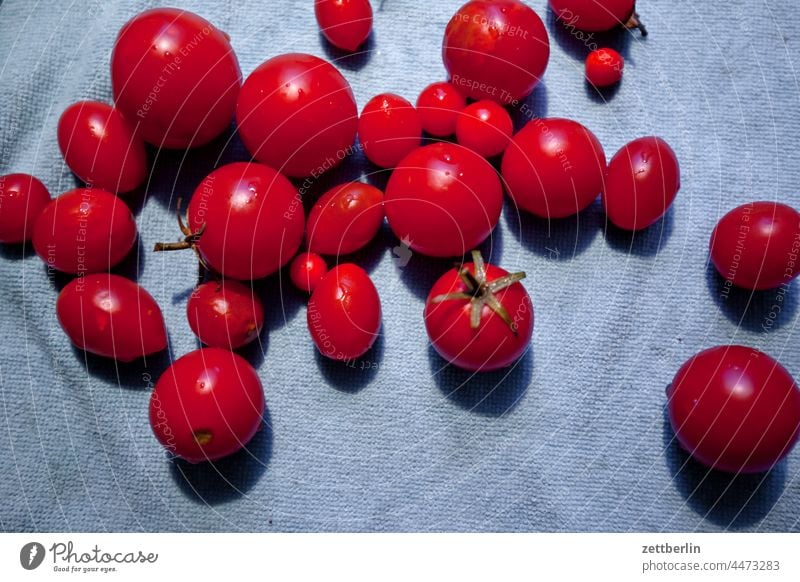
{"x": 175, "y": 76}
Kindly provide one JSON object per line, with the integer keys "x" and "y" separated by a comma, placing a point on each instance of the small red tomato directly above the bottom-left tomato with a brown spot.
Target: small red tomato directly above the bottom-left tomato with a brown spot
{"x": 225, "y": 314}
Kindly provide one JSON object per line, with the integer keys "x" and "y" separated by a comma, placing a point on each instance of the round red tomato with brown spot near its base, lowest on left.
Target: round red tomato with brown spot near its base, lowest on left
{"x": 207, "y": 405}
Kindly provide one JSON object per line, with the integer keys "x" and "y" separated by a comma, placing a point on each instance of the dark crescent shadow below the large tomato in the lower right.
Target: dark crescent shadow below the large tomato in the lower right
{"x": 725, "y": 499}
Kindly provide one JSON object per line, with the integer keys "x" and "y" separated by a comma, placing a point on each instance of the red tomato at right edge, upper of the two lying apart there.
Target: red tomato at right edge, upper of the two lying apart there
{"x": 756, "y": 246}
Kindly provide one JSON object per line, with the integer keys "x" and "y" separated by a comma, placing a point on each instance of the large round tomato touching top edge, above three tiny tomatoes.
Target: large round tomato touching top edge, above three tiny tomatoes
{"x": 496, "y": 49}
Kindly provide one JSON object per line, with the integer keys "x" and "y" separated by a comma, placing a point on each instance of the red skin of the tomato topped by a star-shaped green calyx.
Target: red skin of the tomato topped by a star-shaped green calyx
{"x": 492, "y": 345}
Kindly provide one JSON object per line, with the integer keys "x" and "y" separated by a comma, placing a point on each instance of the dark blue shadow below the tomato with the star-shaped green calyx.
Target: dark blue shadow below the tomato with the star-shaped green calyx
{"x": 487, "y": 393}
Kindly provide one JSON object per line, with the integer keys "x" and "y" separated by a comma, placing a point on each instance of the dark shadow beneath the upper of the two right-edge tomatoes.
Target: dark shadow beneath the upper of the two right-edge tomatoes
{"x": 757, "y": 311}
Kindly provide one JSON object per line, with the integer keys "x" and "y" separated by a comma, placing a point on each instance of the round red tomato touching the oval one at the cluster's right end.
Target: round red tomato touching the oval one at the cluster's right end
{"x": 554, "y": 167}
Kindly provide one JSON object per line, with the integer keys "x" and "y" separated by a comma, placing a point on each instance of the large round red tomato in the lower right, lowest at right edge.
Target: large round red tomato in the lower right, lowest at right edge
{"x": 735, "y": 409}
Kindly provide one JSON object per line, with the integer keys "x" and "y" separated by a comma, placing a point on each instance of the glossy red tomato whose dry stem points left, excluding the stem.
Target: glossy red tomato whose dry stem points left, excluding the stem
{"x": 252, "y": 217}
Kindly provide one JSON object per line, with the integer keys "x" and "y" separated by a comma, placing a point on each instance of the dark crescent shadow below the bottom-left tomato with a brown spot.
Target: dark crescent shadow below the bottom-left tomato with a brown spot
{"x": 215, "y": 482}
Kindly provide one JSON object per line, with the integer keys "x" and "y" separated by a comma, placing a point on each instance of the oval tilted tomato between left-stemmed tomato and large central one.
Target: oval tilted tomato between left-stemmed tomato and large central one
{"x": 345, "y": 219}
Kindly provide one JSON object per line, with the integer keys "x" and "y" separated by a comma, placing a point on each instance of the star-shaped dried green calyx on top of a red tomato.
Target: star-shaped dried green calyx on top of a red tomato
{"x": 481, "y": 292}
